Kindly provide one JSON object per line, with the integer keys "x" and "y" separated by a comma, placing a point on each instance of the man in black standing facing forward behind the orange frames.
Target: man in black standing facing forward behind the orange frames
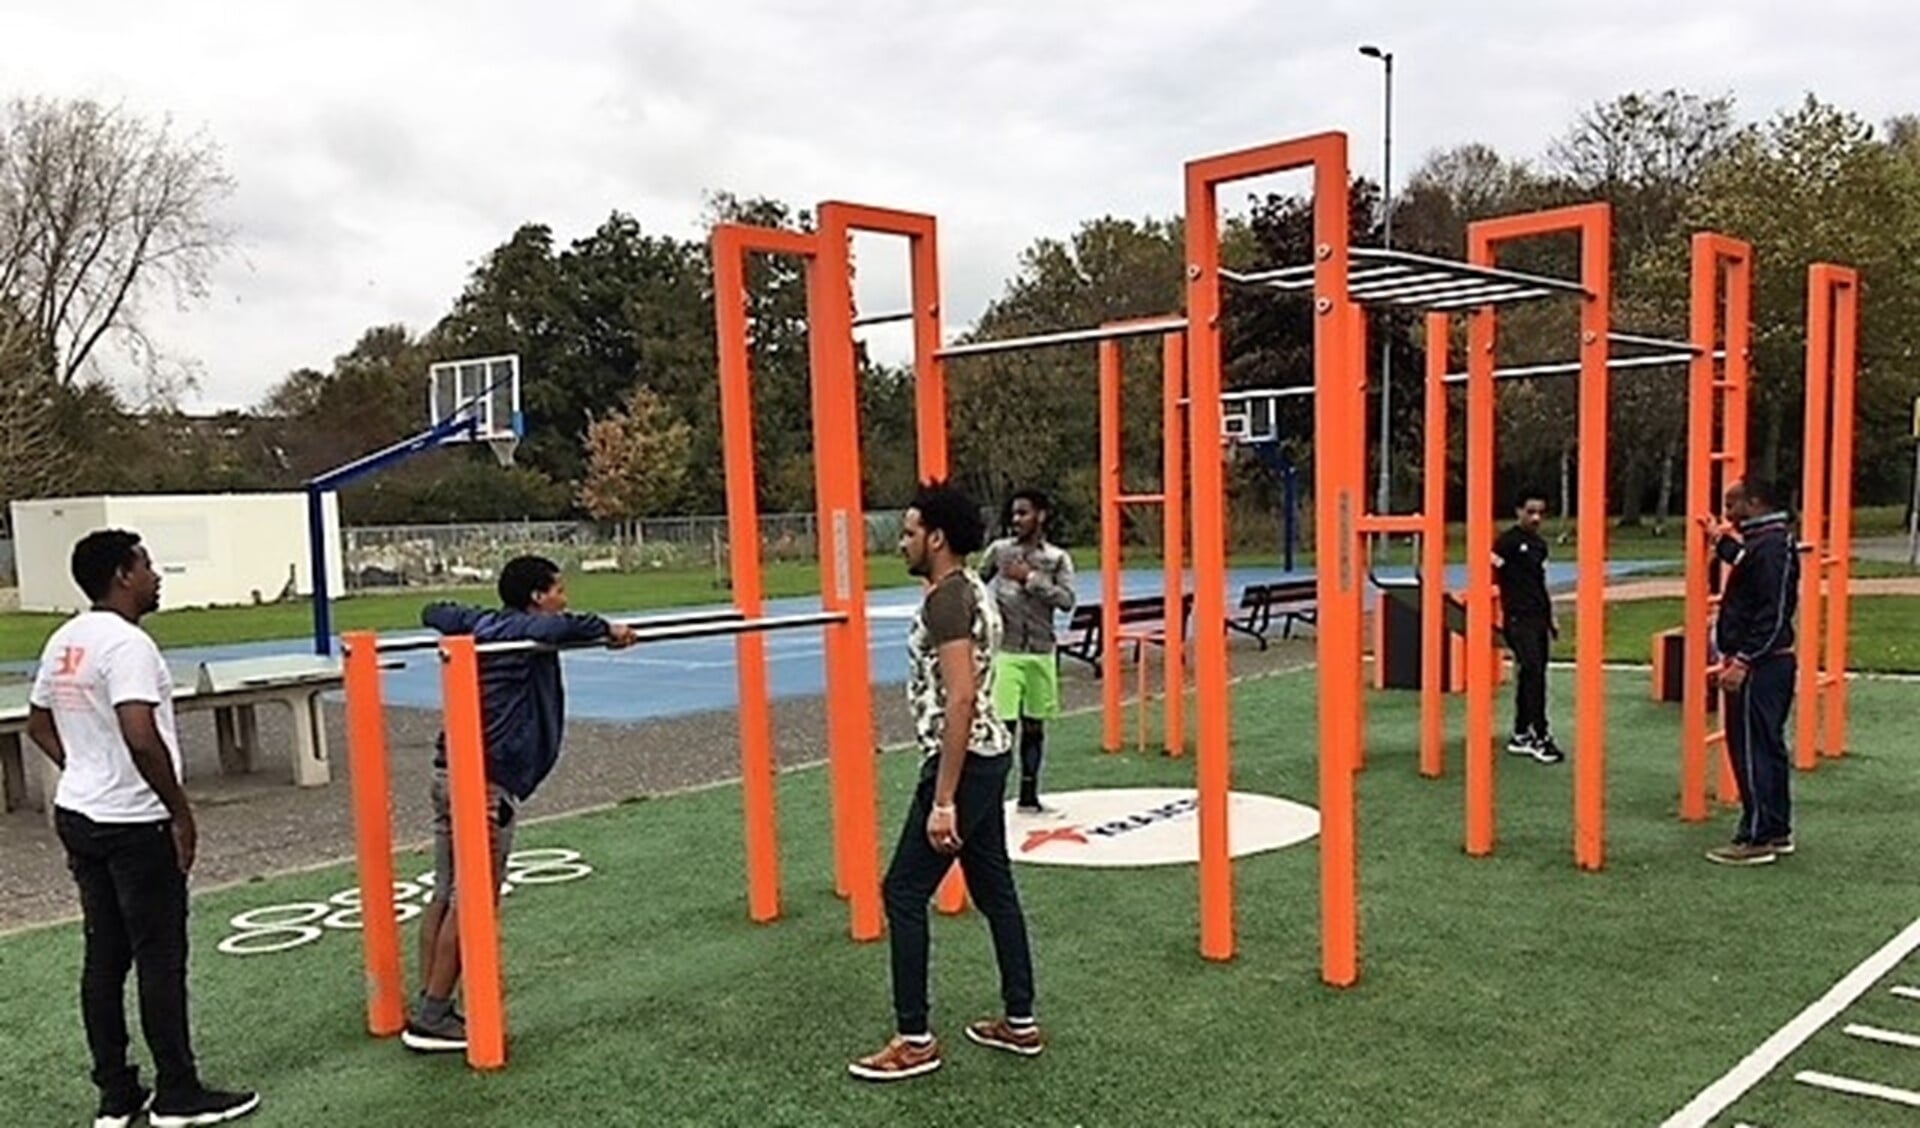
{"x": 1527, "y": 621}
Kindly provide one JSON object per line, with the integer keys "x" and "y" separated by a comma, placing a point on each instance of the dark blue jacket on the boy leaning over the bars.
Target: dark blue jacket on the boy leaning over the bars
{"x": 523, "y": 701}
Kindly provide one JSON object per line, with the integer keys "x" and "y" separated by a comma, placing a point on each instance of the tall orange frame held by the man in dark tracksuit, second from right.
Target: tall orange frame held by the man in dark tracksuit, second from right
{"x": 1717, "y": 454}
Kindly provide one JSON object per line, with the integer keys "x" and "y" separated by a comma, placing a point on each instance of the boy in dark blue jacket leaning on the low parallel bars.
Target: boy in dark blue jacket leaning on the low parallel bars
{"x": 523, "y": 711}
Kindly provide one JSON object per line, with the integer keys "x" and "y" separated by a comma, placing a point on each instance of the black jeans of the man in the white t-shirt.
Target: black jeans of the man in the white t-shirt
{"x": 133, "y": 905}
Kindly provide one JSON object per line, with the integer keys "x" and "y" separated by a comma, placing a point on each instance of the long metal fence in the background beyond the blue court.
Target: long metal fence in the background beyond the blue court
{"x": 473, "y": 553}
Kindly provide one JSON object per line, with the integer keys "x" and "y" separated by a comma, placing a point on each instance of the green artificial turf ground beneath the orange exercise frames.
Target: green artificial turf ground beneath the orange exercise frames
{"x": 1506, "y": 991}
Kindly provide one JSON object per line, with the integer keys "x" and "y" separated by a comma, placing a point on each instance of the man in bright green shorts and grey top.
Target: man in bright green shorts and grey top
{"x": 1030, "y": 580}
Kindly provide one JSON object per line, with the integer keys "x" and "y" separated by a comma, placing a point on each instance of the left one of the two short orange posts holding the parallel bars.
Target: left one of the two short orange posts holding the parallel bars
{"x": 373, "y": 834}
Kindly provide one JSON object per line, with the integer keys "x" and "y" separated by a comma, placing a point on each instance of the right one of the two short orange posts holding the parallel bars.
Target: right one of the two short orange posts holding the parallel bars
{"x": 473, "y": 858}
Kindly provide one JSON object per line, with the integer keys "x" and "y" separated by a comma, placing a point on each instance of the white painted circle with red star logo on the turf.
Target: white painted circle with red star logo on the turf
{"x": 1147, "y": 826}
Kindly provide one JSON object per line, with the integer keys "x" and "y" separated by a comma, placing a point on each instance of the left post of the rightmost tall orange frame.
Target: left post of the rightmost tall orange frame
{"x": 1817, "y": 456}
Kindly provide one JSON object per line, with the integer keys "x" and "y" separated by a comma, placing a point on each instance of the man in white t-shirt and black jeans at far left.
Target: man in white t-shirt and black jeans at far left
{"x": 103, "y": 713}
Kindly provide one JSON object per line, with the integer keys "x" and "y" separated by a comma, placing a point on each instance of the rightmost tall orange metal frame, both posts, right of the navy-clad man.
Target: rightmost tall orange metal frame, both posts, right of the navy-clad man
{"x": 1827, "y": 513}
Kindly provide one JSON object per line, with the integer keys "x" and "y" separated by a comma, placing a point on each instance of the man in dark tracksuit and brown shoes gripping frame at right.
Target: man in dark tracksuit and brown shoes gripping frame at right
{"x": 1754, "y": 638}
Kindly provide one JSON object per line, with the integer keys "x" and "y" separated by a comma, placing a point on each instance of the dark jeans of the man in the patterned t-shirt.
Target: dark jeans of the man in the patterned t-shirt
{"x": 990, "y": 876}
